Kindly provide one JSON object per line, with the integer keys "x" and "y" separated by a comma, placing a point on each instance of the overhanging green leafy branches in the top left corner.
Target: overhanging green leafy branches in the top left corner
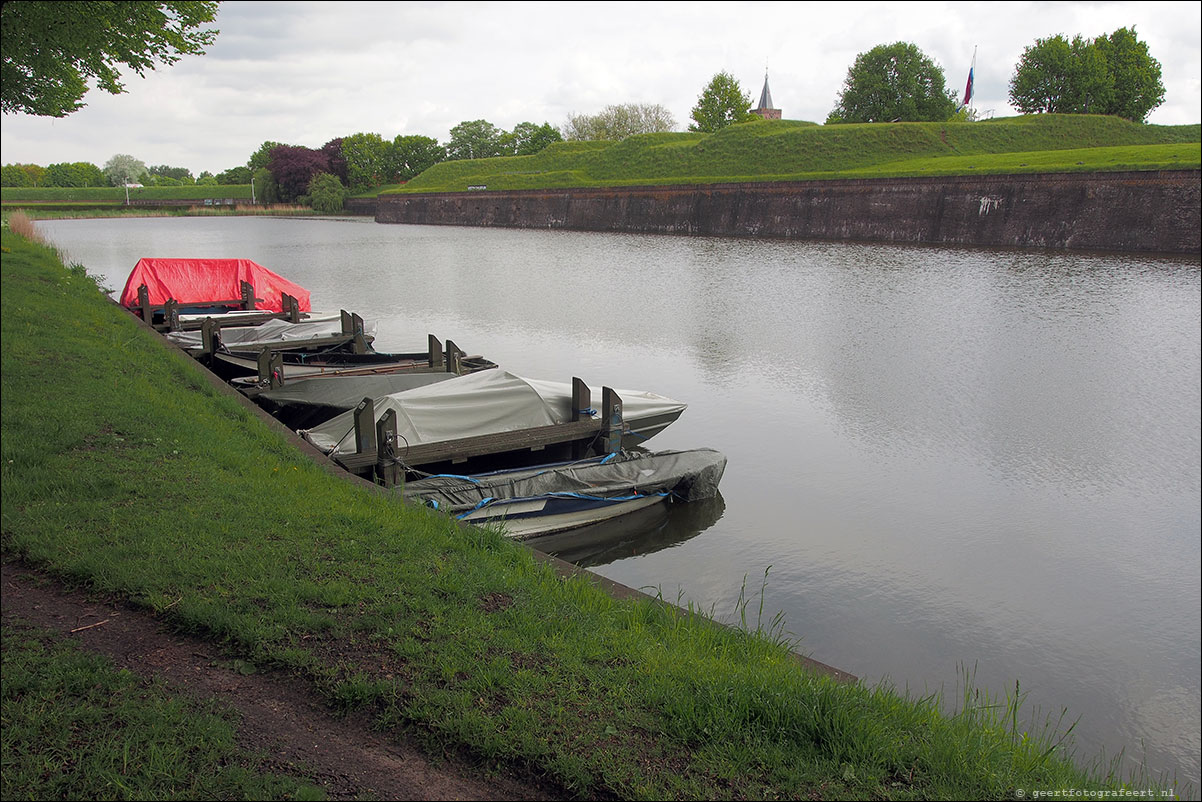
{"x": 52, "y": 50}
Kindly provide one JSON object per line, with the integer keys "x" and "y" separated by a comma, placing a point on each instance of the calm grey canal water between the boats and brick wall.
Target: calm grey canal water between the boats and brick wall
{"x": 942, "y": 460}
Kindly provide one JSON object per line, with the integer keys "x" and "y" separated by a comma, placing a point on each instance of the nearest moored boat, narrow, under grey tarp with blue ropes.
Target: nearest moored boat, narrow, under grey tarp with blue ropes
{"x": 544, "y": 500}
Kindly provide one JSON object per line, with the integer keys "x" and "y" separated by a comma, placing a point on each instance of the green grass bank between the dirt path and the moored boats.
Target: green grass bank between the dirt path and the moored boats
{"x": 126, "y": 472}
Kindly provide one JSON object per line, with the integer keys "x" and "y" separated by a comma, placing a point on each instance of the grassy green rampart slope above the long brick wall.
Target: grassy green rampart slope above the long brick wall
{"x": 798, "y": 151}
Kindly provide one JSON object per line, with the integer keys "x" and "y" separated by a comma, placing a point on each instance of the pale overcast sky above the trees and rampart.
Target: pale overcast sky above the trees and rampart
{"x": 308, "y": 73}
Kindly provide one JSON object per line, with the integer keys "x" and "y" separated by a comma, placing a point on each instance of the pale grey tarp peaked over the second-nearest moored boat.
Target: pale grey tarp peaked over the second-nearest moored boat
{"x": 484, "y": 403}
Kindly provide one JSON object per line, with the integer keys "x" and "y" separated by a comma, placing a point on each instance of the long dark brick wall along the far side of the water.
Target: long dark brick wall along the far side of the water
{"x": 1127, "y": 212}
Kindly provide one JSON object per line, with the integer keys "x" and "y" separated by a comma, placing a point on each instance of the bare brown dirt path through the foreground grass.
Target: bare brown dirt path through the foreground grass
{"x": 278, "y": 717}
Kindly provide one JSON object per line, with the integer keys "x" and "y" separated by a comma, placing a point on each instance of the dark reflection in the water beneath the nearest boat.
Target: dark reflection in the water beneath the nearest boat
{"x": 638, "y": 534}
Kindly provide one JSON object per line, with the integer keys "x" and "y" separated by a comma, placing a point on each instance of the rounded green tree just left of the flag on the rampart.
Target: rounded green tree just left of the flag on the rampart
{"x": 894, "y": 84}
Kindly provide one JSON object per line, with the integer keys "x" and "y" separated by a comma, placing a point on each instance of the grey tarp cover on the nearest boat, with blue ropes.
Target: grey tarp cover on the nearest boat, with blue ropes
{"x": 688, "y": 476}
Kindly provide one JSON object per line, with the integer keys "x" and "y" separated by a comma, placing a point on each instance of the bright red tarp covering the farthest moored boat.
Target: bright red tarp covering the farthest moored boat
{"x": 200, "y": 281}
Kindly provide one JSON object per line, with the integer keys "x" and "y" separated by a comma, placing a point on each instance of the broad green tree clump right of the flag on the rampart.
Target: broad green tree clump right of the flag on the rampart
{"x": 1110, "y": 75}
